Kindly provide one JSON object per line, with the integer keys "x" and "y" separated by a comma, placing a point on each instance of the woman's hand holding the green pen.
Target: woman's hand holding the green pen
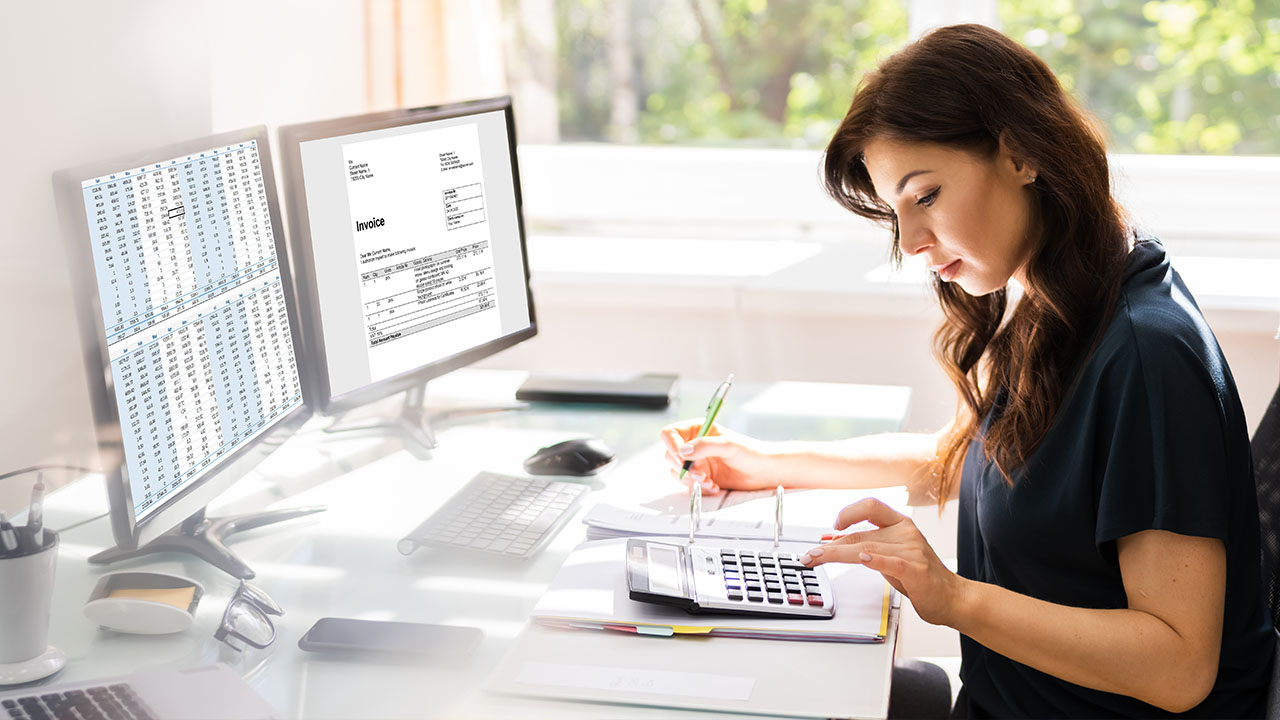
{"x": 723, "y": 459}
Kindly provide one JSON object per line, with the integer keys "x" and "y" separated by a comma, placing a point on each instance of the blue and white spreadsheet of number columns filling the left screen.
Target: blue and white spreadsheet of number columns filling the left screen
{"x": 194, "y": 312}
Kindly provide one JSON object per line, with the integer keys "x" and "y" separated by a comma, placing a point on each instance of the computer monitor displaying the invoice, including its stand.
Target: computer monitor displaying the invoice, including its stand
{"x": 408, "y": 243}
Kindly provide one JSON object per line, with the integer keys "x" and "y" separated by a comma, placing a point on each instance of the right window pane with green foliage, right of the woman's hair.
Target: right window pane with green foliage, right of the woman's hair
{"x": 1167, "y": 78}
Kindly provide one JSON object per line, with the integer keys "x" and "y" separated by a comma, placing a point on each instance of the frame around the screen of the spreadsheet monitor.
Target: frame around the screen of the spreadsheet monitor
{"x": 127, "y": 530}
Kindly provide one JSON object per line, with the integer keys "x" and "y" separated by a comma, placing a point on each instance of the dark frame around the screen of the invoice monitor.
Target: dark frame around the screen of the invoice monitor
{"x": 317, "y": 388}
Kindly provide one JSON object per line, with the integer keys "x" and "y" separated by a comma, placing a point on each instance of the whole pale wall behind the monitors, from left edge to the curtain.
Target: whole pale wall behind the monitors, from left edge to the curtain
{"x": 86, "y": 81}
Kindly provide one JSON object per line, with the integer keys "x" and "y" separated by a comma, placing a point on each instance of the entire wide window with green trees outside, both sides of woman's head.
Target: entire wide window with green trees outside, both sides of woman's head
{"x": 1165, "y": 76}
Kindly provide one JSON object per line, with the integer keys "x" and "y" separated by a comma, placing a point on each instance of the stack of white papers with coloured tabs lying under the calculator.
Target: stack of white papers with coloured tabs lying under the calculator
{"x": 591, "y": 593}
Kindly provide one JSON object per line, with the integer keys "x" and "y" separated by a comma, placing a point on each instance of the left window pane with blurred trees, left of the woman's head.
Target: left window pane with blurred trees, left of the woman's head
{"x": 701, "y": 72}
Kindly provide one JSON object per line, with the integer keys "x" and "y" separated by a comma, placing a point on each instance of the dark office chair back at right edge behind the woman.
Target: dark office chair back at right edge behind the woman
{"x": 1267, "y": 472}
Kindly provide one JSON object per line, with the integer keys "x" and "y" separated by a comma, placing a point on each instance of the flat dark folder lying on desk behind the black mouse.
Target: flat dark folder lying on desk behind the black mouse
{"x": 647, "y": 390}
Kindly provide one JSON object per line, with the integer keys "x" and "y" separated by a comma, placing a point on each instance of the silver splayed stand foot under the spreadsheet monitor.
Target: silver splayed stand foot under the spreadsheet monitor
{"x": 204, "y": 537}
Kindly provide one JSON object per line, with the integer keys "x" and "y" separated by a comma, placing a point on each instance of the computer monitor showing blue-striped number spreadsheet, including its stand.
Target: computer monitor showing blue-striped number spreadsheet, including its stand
{"x": 189, "y": 331}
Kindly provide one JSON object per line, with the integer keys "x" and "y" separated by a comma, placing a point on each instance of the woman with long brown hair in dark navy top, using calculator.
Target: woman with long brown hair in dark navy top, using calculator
{"x": 1108, "y": 527}
